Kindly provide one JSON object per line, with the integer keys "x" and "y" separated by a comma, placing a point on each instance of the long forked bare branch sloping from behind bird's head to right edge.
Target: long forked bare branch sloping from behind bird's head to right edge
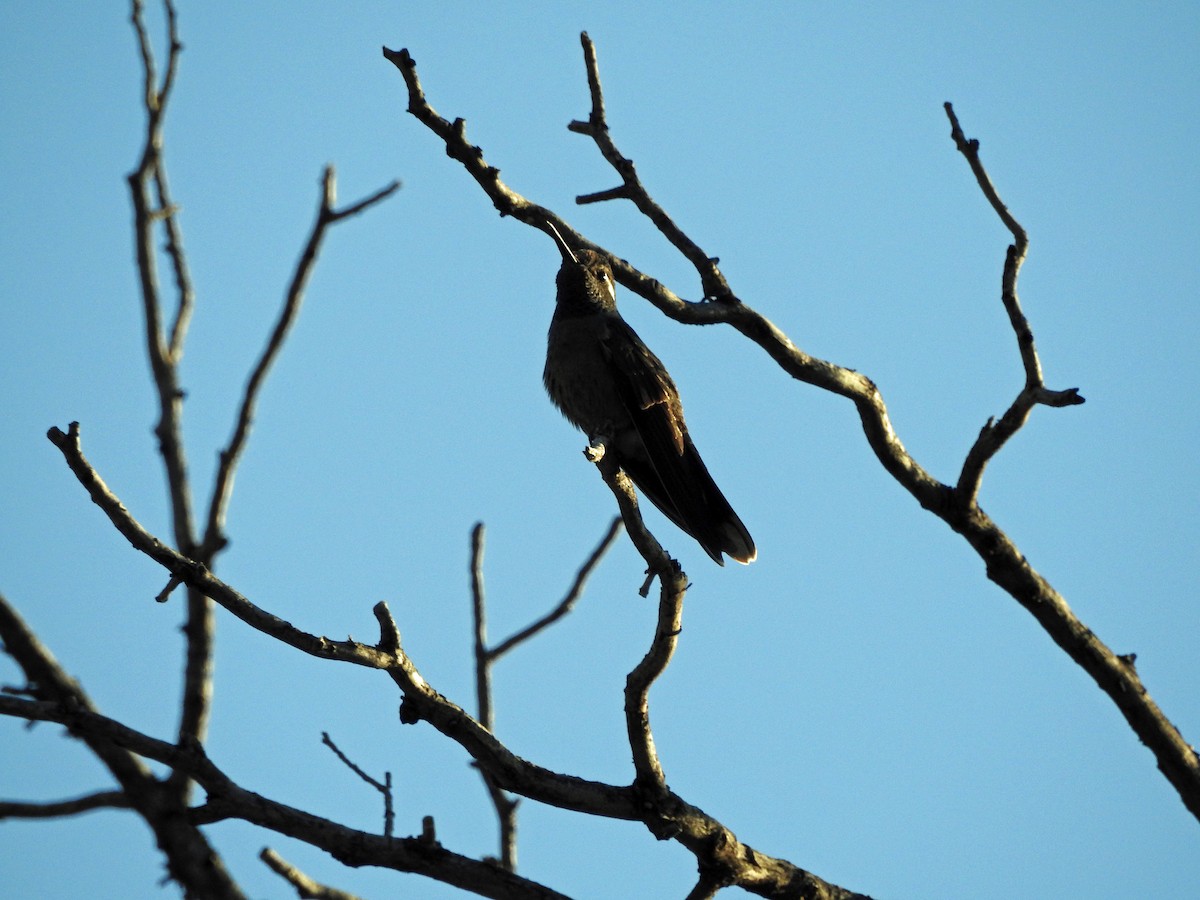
{"x": 1005, "y": 563}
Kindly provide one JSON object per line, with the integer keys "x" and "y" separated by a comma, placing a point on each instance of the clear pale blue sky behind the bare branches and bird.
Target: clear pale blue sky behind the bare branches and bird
{"x": 861, "y": 701}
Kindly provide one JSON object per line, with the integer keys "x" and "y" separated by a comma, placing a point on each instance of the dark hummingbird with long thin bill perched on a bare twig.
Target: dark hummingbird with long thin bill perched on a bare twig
{"x": 609, "y": 385}
